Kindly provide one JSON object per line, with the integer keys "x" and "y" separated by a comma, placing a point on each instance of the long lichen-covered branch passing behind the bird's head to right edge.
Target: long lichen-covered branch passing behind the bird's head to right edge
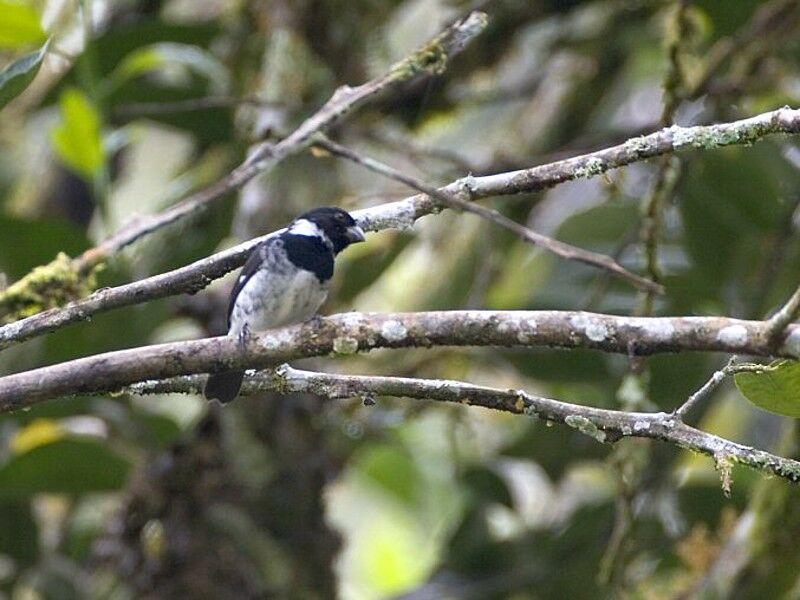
{"x": 402, "y": 214}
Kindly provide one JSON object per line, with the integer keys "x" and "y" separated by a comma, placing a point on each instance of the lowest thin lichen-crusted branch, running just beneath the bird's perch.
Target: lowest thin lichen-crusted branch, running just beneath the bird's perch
{"x": 601, "y": 424}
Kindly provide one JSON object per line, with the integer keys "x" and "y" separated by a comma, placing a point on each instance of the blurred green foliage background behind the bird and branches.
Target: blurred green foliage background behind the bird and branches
{"x": 124, "y": 497}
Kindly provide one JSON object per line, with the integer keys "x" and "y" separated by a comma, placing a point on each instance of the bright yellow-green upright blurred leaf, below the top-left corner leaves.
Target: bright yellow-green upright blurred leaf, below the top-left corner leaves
{"x": 78, "y": 140}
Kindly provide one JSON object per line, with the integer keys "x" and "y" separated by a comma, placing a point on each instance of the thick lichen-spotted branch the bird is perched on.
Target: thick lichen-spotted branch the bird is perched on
{"x": 349, "y": 333}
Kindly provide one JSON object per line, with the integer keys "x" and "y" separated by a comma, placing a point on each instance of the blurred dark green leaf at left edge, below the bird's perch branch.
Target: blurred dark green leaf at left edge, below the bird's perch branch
{"x": 66, "y": 466}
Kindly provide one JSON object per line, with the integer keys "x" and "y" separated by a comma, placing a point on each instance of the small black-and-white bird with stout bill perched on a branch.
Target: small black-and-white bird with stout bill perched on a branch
{"x": 284, "y": 281}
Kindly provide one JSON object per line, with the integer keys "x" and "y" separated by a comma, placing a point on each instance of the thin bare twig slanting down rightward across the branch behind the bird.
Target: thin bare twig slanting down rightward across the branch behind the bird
{"x": 452, "y": 200}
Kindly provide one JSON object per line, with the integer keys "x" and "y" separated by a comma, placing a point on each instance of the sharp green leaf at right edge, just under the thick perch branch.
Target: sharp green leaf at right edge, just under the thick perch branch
{"x": 776, "y": 388}
